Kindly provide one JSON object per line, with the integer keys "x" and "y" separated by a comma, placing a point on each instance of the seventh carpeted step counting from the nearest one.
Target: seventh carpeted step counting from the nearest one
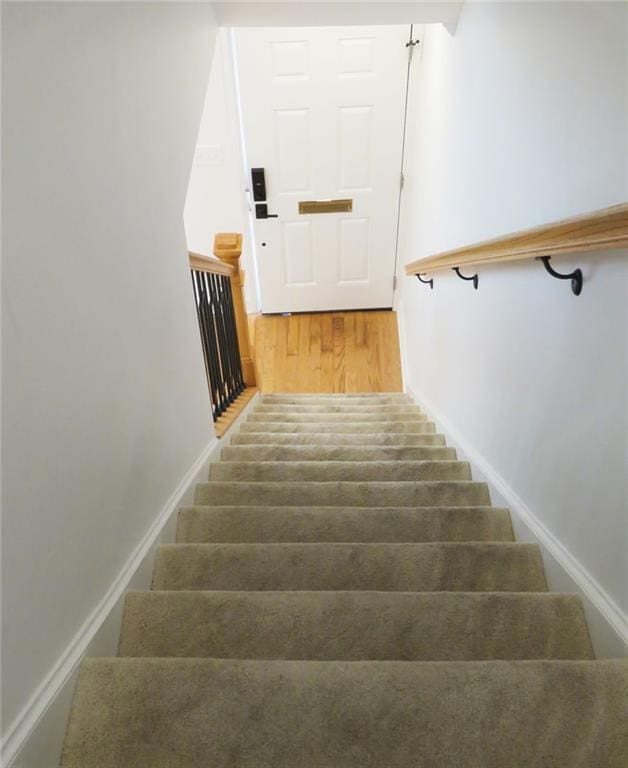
{"x": 336, "y": 453}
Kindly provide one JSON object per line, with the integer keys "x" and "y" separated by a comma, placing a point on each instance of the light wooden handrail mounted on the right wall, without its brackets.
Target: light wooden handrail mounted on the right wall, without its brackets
{"x": 596, "y": 231}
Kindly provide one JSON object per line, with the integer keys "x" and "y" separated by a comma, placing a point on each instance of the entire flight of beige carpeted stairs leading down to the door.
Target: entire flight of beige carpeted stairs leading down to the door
{"x": 343, "y": 595}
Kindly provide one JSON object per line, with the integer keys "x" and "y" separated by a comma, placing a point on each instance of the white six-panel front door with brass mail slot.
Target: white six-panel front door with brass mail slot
{"x": 322, "y": 112}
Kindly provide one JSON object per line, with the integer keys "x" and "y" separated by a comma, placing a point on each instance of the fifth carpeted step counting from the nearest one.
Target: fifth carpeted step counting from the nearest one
{"x": 420, "y": 493}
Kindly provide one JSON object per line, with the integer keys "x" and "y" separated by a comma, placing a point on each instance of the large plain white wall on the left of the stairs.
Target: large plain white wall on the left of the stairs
{"x": 105, "y": 403}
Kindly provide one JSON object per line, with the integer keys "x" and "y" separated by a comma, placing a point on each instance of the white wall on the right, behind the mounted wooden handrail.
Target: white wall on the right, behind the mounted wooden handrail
{"x": 522, "y": 118}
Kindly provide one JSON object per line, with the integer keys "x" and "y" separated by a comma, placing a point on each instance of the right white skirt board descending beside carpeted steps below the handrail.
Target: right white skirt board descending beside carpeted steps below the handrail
{"x": 608, "y": 624}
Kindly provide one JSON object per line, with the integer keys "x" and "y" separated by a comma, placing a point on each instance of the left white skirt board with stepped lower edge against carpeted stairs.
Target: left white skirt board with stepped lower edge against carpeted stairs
{"x": 35, "y": 738}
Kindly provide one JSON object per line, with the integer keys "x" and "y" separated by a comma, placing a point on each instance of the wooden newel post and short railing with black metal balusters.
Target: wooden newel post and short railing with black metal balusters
{"x": 218, "y": 293}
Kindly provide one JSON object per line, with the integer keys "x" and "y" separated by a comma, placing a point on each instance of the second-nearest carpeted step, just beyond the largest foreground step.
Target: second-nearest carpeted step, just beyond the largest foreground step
{"x": 405, "y": 626}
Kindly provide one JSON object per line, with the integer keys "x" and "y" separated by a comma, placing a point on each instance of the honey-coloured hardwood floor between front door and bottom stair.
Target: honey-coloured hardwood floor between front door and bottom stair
{"x": 327, "y": 352}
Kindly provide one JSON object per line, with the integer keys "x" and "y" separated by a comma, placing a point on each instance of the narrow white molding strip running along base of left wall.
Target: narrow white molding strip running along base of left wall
{"x": 26, "y": 722}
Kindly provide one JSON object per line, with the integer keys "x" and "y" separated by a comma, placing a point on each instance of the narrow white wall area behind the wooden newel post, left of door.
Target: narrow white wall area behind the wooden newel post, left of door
{"x": 216, "y": 200}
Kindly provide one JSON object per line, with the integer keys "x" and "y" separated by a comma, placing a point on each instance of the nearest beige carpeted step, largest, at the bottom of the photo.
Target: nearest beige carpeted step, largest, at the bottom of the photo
{"x": 189, "y": 713}
